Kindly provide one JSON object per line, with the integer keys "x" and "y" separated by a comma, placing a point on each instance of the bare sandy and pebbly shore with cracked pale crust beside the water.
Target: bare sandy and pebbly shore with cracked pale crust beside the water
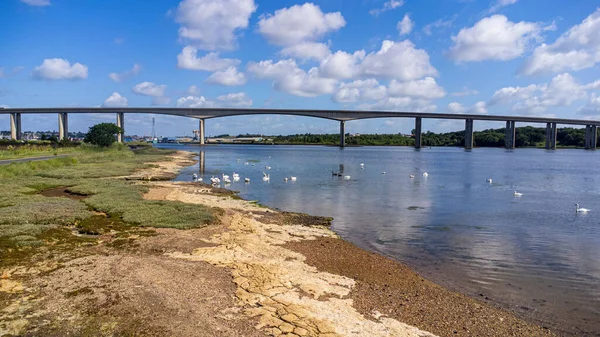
{"x": 259, "y": 272}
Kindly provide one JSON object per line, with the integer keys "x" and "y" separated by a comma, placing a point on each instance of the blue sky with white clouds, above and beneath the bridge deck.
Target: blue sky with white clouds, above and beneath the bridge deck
{"x": 503, "y": 57}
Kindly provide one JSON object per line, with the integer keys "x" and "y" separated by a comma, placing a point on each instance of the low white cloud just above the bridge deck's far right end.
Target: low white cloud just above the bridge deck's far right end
{"x": 562, "y": 90}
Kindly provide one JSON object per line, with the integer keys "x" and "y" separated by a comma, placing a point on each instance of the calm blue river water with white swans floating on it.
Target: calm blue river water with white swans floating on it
{"x": 532, "y": 254}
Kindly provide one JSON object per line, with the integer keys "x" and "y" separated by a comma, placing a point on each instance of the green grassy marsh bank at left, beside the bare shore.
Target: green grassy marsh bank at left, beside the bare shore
{"x": 31, "y": 222}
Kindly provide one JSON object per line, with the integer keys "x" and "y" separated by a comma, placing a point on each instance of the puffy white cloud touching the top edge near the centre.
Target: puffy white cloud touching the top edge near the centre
{"x": 299, "y": 23}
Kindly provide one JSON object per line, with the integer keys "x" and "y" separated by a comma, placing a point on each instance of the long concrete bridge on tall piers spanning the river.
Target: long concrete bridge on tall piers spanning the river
{"x": 342, "y": 116}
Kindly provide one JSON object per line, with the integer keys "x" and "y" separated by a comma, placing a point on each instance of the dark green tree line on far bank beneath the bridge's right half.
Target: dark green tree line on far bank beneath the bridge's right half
{"x": 526, "y": 136}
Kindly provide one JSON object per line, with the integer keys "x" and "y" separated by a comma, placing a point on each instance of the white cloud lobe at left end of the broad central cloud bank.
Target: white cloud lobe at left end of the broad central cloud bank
{"x": 287, "y": 77}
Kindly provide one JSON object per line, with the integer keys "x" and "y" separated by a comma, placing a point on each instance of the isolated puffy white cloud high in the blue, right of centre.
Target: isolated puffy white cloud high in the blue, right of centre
{"x": 494, "y": 38}
